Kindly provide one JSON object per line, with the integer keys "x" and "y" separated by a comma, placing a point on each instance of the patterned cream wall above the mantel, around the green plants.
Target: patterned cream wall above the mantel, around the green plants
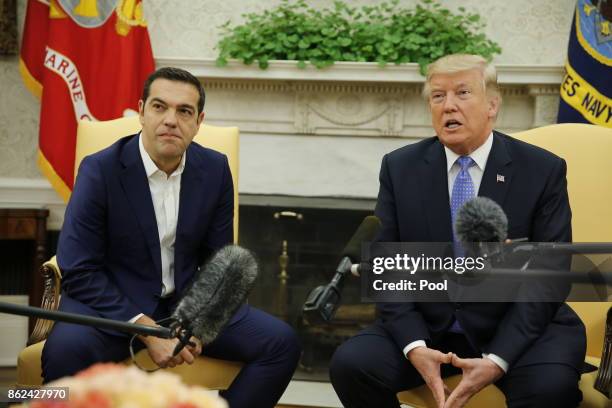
{"x": 529, "y": 32}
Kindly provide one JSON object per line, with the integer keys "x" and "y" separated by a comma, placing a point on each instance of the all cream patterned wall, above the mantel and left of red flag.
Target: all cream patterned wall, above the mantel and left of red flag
{"x": 529, "y": 32}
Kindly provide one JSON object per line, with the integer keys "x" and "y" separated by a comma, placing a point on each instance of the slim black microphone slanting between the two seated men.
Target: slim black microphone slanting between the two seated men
{"x": 323, "y": 301}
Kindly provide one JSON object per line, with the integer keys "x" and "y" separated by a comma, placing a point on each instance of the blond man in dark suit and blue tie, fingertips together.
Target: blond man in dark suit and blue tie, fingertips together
{"x": 533, "y": 352}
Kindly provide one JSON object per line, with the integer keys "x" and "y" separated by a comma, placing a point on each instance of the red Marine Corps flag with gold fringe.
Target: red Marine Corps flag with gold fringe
{"x": 85, "y": 60}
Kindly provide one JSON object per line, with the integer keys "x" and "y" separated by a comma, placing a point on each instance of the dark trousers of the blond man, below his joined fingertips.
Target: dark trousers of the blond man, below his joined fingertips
{"x": 370, "y": 369}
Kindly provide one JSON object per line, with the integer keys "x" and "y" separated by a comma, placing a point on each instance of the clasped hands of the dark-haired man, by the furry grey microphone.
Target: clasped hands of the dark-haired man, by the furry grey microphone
{"x": 160, "y": 350}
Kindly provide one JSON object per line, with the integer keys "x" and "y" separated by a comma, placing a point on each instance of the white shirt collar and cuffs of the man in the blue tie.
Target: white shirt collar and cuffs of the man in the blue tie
{"x": 480, "y": 157}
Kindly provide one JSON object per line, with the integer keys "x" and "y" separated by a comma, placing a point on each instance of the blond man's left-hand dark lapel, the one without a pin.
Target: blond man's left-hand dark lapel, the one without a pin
{"x": 433, "y": 180}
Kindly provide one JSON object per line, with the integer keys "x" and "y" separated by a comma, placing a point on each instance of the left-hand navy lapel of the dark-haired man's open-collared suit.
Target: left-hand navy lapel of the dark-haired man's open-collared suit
{"x": 136, "y": 187}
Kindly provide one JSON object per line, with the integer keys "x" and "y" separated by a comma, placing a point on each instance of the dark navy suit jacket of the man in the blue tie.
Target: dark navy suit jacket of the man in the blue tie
{"x": 413, "y": 206}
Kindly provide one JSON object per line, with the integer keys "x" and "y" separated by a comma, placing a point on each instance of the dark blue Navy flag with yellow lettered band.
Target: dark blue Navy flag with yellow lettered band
{"x": 586, "y": 90}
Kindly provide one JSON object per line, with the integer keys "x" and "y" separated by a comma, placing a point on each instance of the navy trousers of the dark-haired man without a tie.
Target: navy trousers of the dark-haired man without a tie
{"x": 268, "y": 347}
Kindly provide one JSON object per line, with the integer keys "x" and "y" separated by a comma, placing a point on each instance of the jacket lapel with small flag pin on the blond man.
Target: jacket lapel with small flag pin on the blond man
{"x": 498, "y": 172}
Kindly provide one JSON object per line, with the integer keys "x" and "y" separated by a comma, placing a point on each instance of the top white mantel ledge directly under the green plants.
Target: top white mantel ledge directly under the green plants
{"x": 350, "y": 72}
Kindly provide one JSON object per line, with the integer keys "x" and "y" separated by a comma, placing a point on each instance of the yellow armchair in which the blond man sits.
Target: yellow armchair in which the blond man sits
{"x": 586, "y": 148}
